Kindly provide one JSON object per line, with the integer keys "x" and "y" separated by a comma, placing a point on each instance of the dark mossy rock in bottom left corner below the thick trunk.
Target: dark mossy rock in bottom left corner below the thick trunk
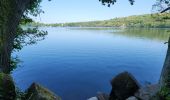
{"x": 7, "y": 87}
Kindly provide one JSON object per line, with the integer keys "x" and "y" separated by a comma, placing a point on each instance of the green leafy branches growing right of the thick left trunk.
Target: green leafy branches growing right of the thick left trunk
{"x": 27, "y": 36}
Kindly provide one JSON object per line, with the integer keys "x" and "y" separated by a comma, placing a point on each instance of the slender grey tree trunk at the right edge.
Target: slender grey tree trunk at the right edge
{"x": 165, "y": 75}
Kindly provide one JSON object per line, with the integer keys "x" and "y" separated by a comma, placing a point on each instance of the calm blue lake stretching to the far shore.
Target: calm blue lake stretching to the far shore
{"x": 77, "y": 63}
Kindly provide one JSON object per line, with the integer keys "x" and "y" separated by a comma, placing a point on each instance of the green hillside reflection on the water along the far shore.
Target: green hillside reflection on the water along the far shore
{"x": 150, "y": 33}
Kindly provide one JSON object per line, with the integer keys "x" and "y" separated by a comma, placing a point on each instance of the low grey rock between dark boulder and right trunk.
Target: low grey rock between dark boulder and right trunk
{"x": 147, "y": 92}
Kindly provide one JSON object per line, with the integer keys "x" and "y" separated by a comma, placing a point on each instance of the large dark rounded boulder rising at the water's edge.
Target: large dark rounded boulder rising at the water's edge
{"x": 124, "y": 85}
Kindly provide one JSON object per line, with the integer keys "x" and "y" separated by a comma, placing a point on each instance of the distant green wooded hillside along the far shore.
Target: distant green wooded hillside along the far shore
{"x": 147, "y": 20}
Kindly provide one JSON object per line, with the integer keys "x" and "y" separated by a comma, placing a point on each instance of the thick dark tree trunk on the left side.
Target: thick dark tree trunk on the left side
{"x": 11, "y": 12}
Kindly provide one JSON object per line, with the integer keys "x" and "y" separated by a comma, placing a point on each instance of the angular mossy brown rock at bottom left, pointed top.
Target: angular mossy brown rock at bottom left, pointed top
{"x": 37, "y": 92}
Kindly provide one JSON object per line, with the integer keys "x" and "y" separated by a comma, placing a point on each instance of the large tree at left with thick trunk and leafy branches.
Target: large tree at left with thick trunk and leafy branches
{"x": 12, "y": 13}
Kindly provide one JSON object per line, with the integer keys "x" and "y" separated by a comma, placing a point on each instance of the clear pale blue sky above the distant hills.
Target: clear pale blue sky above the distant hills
{"x": 62, "y": 11}
